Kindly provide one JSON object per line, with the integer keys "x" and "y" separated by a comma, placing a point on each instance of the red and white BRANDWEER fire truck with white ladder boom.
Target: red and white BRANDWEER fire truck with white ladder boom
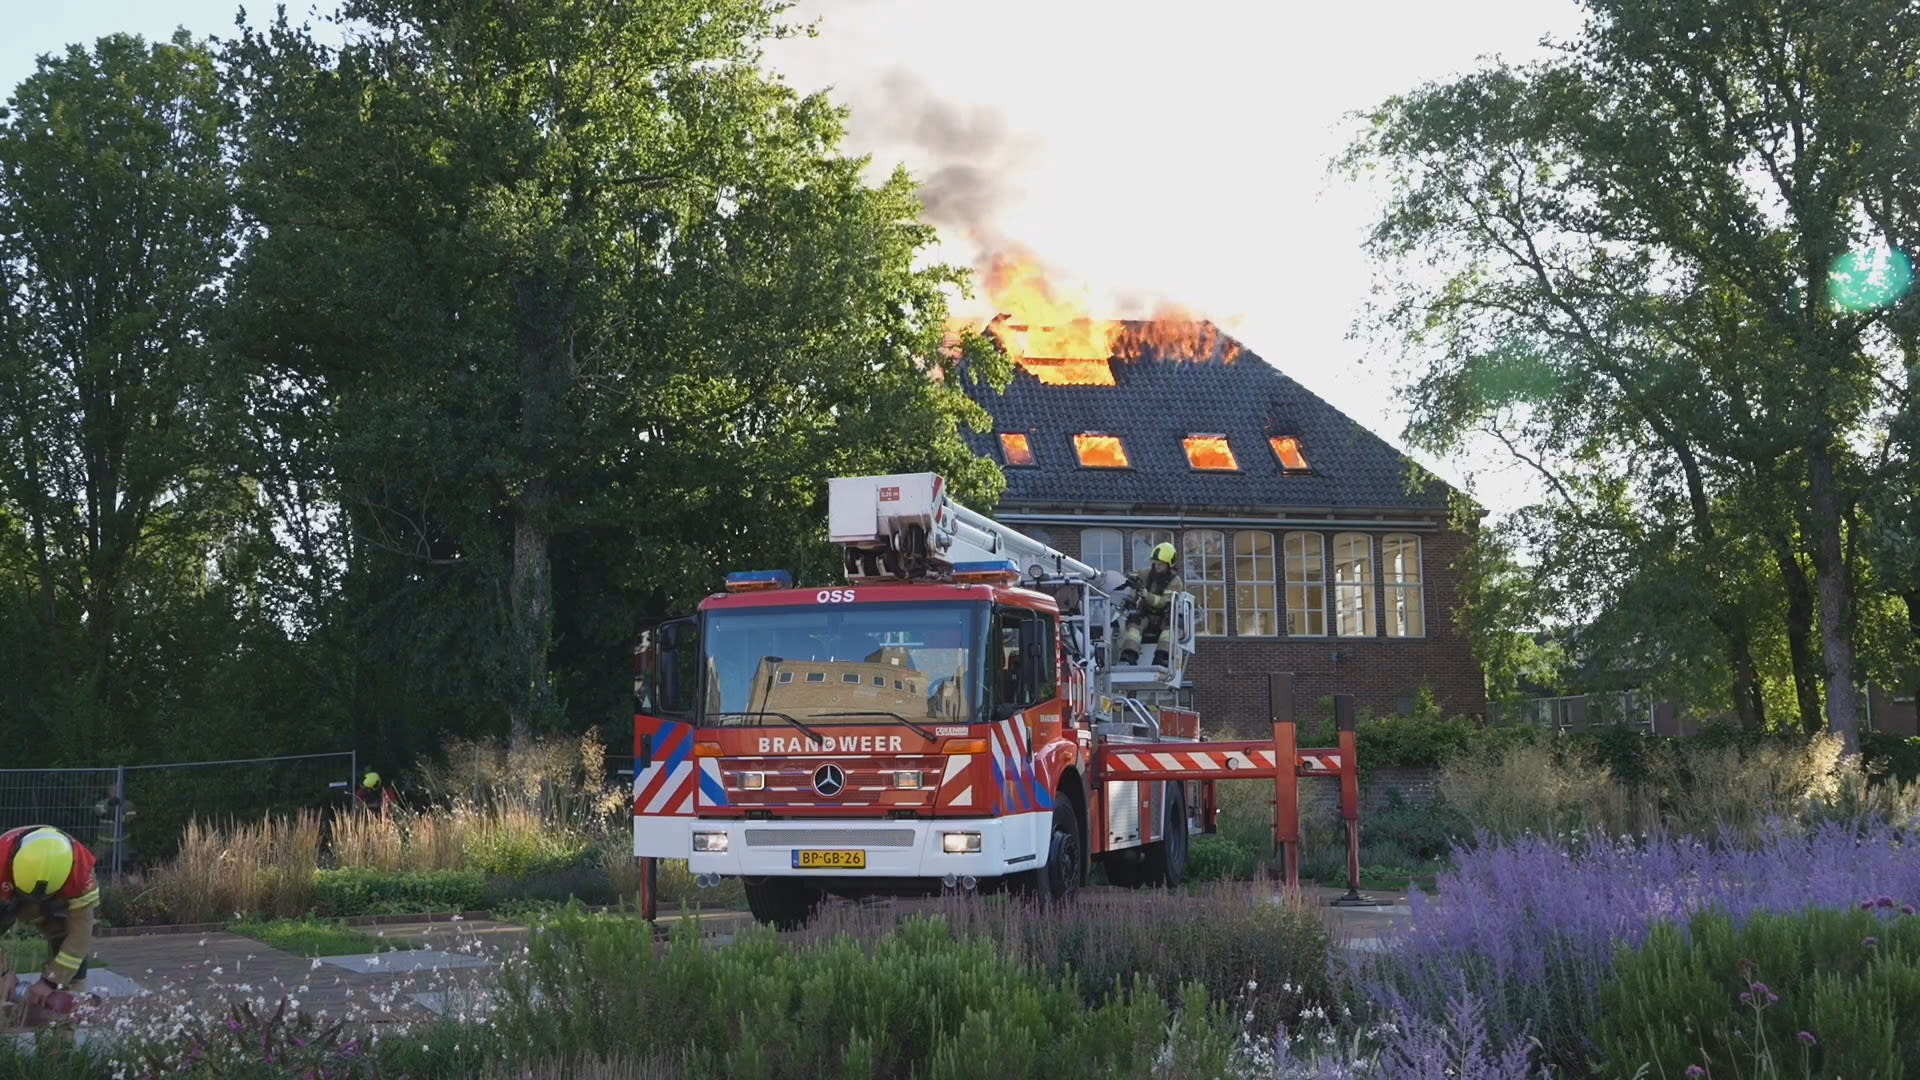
{"x": 949, "y": 718}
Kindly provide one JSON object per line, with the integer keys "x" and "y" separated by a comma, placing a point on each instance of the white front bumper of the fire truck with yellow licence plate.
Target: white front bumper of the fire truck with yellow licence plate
{"x": 894, "y": 848}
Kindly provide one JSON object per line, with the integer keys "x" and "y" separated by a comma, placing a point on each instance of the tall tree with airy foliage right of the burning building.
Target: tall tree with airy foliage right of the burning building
{"x": 1635, "y": 255}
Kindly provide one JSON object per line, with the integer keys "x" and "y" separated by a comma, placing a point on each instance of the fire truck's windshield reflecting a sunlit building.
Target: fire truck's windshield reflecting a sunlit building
{"x": 878, "y": 662}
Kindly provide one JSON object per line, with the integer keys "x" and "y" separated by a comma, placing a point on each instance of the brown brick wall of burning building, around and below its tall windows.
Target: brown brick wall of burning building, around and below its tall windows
{"x": 1381, "y": 674}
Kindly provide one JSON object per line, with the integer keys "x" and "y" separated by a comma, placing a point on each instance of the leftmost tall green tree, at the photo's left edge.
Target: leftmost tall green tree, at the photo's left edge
{"x": 114, "y": 224}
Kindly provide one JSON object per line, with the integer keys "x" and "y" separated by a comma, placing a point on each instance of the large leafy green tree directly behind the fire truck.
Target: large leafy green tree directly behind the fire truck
{"x": 581, "y": 308}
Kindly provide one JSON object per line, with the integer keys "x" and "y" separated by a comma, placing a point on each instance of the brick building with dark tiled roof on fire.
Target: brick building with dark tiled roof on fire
{"x": 1305, "y": 539}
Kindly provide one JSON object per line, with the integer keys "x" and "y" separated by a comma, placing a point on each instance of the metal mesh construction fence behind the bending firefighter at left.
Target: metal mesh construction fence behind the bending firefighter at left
{"x": 133, "y": 816}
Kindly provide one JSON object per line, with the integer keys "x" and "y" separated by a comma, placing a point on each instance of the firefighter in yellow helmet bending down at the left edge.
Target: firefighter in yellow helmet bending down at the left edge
{"x": 47, "y": 881}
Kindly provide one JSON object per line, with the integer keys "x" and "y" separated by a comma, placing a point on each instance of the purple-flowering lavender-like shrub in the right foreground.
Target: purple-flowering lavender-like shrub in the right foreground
{"x": 1533, "y": 931}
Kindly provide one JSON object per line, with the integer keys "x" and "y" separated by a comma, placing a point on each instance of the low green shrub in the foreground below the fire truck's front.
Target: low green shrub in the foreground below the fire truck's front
{"x": 911, "y": 1002}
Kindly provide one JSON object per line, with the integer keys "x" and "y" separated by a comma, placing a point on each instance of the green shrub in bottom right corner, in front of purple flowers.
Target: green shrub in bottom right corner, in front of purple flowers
{"x": 1739, "y": 998}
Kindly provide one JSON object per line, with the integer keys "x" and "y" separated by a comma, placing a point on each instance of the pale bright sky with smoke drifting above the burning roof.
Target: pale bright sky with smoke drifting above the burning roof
{"x": 1143, "y": 157}
